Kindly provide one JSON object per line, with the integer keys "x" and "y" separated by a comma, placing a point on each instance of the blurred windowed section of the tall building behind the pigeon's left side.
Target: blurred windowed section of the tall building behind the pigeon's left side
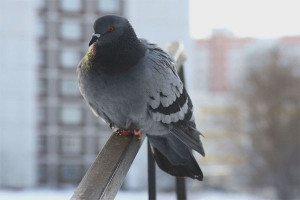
{"x": 69, "y": 136}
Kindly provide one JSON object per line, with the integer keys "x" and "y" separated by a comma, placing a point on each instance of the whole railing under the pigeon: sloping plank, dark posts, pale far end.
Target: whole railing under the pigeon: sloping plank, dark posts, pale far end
{"x": 106, "y": 175}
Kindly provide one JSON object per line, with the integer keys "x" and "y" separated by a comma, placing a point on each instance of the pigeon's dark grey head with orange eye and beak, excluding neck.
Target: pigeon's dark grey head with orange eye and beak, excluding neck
{"x": 109, "y": 28}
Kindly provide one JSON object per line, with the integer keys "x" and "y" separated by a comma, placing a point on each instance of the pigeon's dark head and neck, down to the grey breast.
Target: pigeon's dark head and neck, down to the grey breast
{"x": 114, "y": 47}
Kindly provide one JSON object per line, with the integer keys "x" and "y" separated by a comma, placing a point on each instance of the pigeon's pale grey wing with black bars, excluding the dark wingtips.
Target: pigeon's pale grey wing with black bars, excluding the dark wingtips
{"x": 168, "y": 100}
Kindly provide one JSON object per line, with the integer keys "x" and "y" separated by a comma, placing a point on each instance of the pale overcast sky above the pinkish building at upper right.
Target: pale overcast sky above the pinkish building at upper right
{"x": 254, "y": 18}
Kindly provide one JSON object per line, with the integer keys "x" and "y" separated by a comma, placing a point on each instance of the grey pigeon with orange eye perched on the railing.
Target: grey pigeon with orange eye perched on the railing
{"x": 134, "y": 87}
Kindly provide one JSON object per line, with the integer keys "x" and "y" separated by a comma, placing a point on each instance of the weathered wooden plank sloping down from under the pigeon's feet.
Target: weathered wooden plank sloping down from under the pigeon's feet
{"x": 106, "y": 175}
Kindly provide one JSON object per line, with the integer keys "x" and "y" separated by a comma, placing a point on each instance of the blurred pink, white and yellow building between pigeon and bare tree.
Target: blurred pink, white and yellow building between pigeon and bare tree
{"x": 220, "y": 63}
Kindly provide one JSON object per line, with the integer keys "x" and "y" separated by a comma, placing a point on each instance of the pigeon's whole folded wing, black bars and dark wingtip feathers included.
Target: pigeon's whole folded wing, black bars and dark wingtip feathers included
{"x": 169, "y": 102}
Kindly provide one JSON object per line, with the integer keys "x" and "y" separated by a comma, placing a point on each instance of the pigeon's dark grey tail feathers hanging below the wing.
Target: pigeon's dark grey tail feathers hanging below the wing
{"x": 173, "y": 154}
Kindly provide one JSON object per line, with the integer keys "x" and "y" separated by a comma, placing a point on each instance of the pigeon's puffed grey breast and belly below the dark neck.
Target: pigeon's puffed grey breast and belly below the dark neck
{"x": 121, "y": 98}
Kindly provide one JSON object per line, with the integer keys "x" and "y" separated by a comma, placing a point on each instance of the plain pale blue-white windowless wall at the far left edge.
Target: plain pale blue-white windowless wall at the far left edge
{"x": 18, "y": 94}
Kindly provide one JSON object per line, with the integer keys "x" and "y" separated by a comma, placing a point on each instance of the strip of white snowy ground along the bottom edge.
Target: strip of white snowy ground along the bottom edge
{"x": 46, "y": 194}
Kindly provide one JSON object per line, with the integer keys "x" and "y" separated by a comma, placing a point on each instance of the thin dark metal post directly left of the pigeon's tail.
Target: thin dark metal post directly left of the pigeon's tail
{"x": 151, "y": 175}
